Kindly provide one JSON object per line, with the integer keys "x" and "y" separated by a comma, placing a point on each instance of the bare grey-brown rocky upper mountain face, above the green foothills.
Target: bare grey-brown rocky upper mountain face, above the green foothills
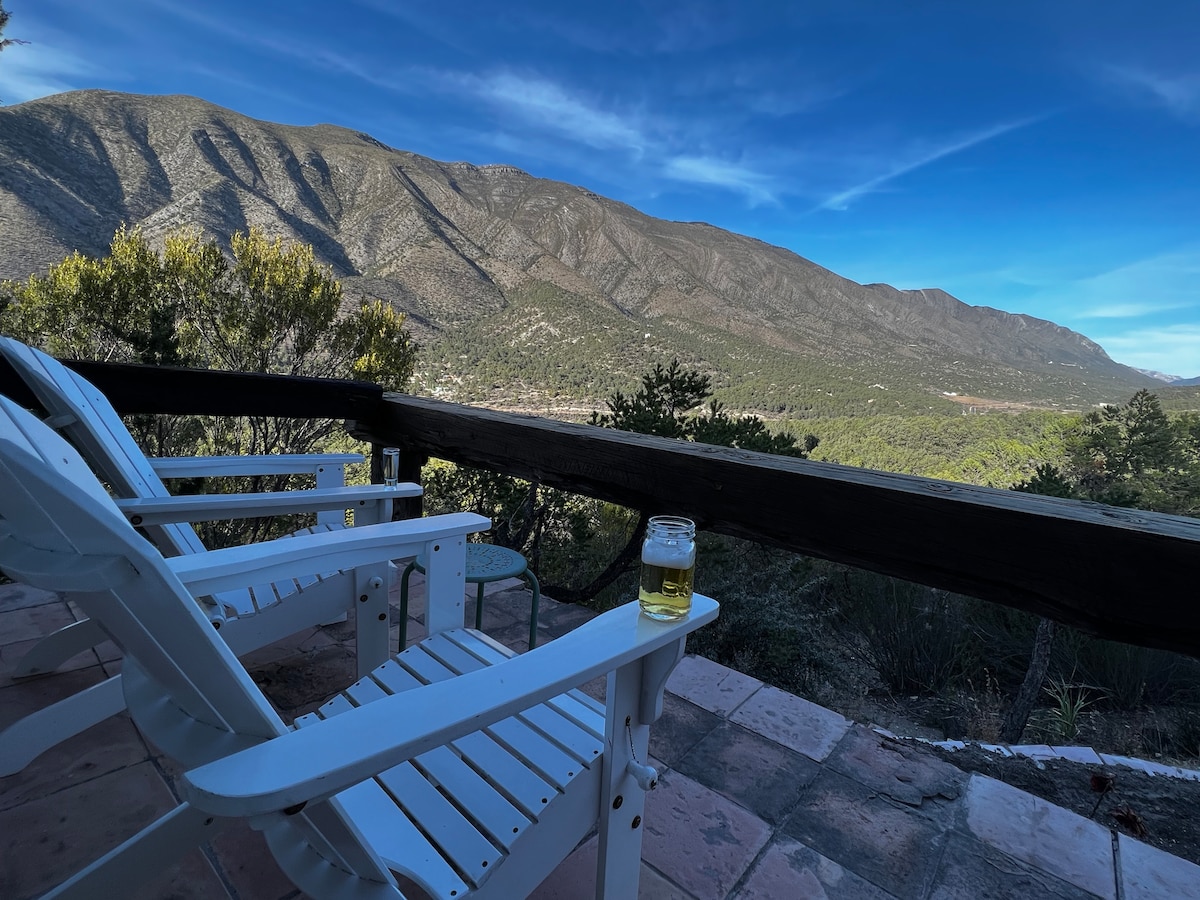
{"x": 454, "y": 244}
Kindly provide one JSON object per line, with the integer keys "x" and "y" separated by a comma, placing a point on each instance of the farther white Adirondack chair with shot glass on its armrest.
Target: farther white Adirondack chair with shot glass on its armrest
{"x": 250, "y": 616}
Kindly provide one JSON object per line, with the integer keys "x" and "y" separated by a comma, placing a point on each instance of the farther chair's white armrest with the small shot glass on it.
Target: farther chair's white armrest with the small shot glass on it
{"x": 212, "y": 508}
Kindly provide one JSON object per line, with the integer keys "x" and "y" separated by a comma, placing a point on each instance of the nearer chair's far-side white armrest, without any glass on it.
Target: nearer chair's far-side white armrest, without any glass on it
{"x": 233, "y": 568}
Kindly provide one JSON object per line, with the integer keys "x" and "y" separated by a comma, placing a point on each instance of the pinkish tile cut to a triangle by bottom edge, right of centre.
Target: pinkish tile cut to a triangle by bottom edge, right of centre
{"x": 791, "y": 871}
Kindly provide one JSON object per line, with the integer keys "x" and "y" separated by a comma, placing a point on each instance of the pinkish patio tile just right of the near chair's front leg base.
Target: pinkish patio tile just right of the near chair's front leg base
{"x": 700, "y": 841}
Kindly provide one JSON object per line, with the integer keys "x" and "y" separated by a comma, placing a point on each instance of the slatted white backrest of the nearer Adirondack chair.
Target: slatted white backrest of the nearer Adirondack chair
{"x": 57, "y": 520}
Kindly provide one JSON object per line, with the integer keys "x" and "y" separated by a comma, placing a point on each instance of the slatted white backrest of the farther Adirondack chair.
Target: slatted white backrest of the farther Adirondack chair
{"x": 82, "y": 413}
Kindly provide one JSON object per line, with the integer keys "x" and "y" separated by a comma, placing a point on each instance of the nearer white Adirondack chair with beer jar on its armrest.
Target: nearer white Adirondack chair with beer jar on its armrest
{"x": 455, "y": 765}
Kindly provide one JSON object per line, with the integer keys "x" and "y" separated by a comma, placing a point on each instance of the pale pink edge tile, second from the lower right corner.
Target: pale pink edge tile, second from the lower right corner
{"x": 1047, "y": 837}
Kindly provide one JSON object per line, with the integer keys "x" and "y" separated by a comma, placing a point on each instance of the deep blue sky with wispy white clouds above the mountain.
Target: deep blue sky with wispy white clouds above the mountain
{"x": 1036, "y": 157}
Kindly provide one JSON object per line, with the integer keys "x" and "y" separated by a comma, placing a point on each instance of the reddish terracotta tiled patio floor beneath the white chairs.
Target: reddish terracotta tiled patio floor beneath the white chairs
{"x": 764, "y": 795}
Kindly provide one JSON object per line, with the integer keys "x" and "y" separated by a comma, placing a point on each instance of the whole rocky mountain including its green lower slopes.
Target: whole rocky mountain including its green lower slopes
{"x": 523, "y": 290}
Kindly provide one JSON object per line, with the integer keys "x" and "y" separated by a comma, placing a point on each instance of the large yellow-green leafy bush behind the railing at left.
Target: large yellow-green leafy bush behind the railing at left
{"x": 268, "y": 308}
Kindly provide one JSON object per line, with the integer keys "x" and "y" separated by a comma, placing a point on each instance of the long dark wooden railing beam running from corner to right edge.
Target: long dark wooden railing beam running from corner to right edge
{"x": 1119, "y": 574}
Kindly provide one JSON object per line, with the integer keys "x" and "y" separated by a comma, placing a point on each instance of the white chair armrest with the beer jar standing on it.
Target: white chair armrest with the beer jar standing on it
{"x": 321, "y": 760}
